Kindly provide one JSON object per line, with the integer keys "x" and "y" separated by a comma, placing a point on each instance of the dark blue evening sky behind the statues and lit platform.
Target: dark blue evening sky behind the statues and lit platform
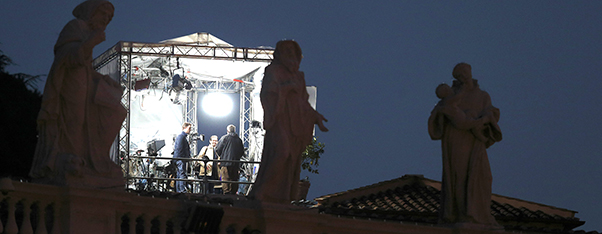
{"x": 376, "y": 65}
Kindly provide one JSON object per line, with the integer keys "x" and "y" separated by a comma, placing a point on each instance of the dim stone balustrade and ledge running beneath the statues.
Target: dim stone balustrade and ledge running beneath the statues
{"x": 29, "y": 208}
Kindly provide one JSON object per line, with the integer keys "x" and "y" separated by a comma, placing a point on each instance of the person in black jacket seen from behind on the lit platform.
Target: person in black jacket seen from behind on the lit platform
{"x": 230, "y": 147}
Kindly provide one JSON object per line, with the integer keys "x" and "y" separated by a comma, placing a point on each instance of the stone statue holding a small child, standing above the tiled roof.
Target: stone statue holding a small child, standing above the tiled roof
{"x": 466, "y": 123}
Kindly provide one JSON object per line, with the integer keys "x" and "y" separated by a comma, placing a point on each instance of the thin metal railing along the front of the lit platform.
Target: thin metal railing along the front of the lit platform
{"x": 161, "y": 181}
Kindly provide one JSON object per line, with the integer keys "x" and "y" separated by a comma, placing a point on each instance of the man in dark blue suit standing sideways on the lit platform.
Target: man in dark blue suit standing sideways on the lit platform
{"x": 182, "y": 150}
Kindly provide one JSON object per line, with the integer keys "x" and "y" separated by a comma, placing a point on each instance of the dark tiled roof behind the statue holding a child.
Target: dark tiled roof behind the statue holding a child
{"x": 416, "y": 199}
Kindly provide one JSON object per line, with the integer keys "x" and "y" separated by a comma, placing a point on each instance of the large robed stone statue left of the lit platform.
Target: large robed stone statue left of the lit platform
{"x": 81, "y": 113}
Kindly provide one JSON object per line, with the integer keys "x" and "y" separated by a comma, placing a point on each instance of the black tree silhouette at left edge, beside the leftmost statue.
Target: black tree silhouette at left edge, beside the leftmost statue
{"x": 19, "y": 106}
